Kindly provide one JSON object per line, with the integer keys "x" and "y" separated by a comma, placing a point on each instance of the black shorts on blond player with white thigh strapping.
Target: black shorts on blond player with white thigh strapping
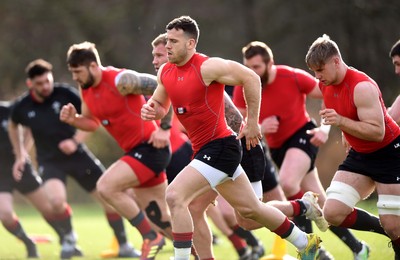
{"x": 382, "y": 166}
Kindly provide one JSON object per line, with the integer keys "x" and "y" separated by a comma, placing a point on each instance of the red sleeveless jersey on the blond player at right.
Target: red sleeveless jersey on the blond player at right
{"x": 341, "y": 98}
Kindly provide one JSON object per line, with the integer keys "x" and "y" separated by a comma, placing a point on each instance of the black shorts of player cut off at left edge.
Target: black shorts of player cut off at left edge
{"x": 29, "y": 182}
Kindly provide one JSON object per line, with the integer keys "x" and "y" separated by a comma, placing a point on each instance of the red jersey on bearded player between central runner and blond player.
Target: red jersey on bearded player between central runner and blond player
{"x": 285, "y": 98}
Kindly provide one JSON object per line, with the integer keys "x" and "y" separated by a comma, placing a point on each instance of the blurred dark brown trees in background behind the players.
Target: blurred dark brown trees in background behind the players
{"x": 123, "y": 29}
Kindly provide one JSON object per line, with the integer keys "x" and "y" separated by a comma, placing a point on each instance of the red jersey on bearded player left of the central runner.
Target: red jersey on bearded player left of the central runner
{"x": 120, "y": 115}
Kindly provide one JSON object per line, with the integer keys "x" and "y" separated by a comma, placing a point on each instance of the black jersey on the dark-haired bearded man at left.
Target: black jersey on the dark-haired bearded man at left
{"x": 44, "y": 119}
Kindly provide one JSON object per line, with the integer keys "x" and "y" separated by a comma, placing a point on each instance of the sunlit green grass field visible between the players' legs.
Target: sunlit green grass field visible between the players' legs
{"x": 95, "y": 236}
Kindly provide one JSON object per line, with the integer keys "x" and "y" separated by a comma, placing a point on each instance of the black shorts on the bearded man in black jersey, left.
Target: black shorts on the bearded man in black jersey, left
{"x": 82, "y": 165}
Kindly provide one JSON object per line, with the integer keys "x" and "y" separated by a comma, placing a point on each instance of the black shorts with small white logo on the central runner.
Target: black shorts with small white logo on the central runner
{"x": 223, "y": 154}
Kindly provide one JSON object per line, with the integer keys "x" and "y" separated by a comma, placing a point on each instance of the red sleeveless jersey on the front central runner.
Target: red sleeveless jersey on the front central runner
{"x": 200, "y": 108}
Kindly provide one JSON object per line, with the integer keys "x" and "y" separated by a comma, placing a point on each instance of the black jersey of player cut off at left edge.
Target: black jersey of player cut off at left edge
{"x": 5, "y": 144}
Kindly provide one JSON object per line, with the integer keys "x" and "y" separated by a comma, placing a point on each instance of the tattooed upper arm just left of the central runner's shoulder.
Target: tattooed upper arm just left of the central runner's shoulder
{"x": 132, "y": 82}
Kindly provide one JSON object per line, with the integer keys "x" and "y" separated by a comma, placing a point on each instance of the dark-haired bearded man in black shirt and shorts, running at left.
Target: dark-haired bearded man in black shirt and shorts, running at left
{"x": 59, "y": 151}
